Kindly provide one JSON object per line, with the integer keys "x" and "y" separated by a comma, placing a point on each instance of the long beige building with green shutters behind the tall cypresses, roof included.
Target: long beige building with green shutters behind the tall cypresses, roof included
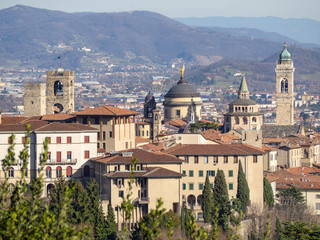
{"x": 202, "y": 159}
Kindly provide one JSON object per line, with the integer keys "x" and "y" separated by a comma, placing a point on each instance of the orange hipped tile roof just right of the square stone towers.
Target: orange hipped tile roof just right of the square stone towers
{"x": 107, "y": 110}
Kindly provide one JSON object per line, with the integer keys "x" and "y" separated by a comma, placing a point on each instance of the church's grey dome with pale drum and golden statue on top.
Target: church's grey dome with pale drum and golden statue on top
{"x": 182, "y": 102}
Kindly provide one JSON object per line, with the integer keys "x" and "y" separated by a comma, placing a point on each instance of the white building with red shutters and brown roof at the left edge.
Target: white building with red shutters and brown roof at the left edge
{"x": 69, "y": 150}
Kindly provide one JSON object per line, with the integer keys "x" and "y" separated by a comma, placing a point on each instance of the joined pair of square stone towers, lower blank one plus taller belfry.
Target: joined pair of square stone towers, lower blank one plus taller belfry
{"x": 55, "y": 96}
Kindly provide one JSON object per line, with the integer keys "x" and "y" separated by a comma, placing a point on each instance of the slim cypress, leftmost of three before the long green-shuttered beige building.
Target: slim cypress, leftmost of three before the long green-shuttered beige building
{"x": 207, "y": 201}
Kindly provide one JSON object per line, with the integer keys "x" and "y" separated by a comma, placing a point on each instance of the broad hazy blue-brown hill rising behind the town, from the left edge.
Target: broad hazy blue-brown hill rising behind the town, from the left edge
{"x": 32, "y": 37}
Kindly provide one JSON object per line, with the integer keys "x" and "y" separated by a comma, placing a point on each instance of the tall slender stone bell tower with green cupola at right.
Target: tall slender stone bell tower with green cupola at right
{"x": 284, "y": 89}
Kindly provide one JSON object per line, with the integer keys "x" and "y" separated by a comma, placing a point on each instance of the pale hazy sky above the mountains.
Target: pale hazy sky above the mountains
{"x": 185, "y": 8}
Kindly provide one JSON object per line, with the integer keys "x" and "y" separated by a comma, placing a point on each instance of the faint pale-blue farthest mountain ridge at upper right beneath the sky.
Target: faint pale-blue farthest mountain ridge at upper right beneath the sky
{"x": 302, "y": 30}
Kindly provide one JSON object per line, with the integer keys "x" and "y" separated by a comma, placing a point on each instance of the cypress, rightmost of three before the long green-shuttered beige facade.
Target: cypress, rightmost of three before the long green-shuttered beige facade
{"x": 243, "y": 191}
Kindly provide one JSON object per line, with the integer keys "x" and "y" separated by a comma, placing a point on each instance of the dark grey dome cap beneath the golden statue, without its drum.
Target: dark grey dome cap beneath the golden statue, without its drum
{"x": 182, "y": 90}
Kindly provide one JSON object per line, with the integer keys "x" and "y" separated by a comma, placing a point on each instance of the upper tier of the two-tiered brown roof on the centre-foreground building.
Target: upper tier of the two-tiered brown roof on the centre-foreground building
{"x": 141, "y": 155}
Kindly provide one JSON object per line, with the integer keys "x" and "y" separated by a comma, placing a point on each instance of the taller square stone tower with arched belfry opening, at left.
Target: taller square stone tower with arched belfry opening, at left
{"x": 60, "y": 91}
